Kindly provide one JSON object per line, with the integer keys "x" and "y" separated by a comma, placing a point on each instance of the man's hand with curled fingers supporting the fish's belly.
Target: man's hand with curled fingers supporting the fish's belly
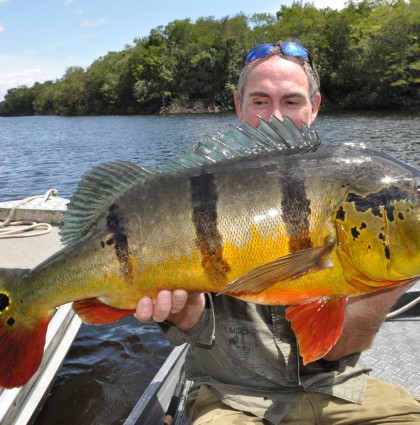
{"x": 178, "y": 307}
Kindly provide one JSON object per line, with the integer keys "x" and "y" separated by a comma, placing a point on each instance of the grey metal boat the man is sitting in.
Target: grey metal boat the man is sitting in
{"x": 394, "y": 357}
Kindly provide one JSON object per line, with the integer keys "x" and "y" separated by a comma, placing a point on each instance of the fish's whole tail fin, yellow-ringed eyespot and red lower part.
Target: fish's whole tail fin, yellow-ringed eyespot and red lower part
{"x": 22, "y": 337}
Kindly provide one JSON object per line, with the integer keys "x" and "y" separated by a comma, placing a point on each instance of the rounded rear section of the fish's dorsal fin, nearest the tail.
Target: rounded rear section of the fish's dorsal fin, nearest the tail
{"x": 97, "y": 188}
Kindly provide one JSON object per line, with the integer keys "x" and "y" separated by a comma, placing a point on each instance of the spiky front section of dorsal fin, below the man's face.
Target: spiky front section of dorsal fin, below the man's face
{"x": 272, "y": 135}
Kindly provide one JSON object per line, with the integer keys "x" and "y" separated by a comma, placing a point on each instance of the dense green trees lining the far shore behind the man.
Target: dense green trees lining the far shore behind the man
{"x": 367, "y": 56}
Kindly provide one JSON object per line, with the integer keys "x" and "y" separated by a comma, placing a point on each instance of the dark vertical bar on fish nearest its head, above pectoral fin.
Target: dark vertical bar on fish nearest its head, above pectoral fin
{"x": 296, "y": 208}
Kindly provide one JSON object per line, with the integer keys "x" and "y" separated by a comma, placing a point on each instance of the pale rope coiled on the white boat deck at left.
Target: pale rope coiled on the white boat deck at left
{"x": 26, "y": 227}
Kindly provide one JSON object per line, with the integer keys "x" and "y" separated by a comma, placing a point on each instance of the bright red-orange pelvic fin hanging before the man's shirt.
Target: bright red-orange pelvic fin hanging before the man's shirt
{"x": 318, "y": 325}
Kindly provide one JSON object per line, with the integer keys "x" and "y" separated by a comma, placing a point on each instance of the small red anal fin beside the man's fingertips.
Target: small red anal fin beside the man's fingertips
{"x": 94, "y": 312}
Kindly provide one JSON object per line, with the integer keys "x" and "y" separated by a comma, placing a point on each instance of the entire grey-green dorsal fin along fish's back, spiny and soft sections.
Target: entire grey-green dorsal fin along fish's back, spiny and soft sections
{"x": 103, "y": 183}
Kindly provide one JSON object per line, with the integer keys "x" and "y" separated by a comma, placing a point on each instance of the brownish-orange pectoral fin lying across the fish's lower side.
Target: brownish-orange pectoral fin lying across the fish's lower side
{"x": 283, "y": 268}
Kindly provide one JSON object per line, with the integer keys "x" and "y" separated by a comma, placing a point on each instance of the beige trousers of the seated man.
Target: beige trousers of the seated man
{"x": 384, "y": 403}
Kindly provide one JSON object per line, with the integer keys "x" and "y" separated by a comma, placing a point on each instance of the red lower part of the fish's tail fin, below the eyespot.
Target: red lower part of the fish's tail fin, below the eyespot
{"x": 21, "y": 350}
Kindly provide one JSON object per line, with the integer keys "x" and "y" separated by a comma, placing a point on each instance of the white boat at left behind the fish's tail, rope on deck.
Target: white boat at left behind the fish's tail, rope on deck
{"x": 29, "y": 235}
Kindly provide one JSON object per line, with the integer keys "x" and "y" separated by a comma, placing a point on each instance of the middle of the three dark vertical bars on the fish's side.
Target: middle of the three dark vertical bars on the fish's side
{"x": 204, "y": 216}
